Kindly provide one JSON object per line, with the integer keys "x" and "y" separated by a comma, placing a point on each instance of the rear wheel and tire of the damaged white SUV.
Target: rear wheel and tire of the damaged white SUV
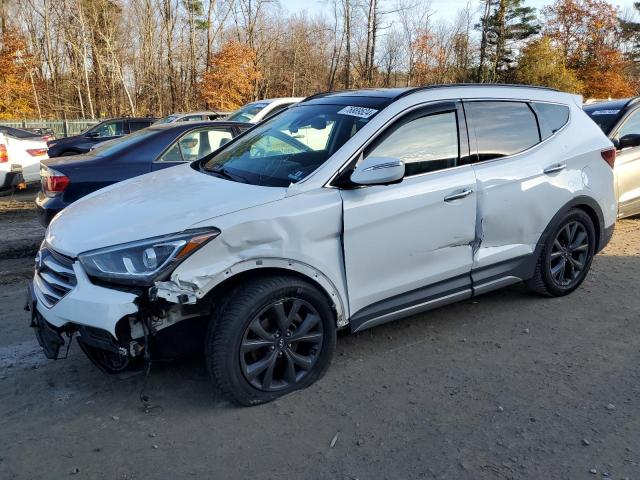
{"x": 566, "y": 256}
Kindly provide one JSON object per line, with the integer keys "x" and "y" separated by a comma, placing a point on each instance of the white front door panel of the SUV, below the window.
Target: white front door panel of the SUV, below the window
{"x": 401, "y": 237}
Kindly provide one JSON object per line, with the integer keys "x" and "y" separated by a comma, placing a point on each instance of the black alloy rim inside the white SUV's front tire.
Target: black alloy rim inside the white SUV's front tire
{"x": 281, "y": 344}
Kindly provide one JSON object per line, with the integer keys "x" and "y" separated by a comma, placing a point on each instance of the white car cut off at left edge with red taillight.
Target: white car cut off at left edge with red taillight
{"x": 25, "y": 149}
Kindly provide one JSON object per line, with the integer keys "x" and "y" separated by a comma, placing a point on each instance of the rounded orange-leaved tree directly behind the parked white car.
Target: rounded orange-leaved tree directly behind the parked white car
{"x": 230, "y": 78}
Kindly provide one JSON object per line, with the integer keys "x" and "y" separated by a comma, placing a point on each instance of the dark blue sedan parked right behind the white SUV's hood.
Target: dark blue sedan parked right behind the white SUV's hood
{"x": 65, "y": 180}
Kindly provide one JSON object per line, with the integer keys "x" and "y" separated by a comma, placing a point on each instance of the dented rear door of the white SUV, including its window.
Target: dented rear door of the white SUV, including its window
{"x": 521, "y": 184}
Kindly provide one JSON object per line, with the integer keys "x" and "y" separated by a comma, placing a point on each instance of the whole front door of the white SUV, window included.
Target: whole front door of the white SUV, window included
{"x": 410, "y": 243}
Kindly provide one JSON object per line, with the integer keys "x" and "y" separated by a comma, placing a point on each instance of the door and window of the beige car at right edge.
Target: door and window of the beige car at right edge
{"x": 627, "y": 167}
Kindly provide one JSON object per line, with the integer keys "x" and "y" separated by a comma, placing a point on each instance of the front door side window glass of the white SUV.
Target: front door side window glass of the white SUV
{"x": 424, "y": 144}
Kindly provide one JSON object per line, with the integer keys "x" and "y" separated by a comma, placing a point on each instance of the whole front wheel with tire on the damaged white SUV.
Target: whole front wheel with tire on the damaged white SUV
{"x": 274, "y": 335}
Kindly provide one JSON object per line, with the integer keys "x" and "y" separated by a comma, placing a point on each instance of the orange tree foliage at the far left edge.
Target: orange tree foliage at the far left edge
{"x": 16, "y": 91}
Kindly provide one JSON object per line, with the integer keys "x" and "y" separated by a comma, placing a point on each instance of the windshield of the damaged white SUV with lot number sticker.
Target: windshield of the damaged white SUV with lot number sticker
{"x": 290, "y": 146}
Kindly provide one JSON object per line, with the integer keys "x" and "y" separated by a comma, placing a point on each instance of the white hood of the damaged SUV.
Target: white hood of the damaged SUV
{"x": 159, "y": 203}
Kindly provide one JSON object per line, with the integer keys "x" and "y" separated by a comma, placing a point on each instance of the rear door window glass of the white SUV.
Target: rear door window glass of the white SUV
{"x": 503, "y": 128}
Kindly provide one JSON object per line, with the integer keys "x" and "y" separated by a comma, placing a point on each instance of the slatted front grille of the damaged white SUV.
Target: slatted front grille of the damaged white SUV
{"x": 54, "y": 276}
